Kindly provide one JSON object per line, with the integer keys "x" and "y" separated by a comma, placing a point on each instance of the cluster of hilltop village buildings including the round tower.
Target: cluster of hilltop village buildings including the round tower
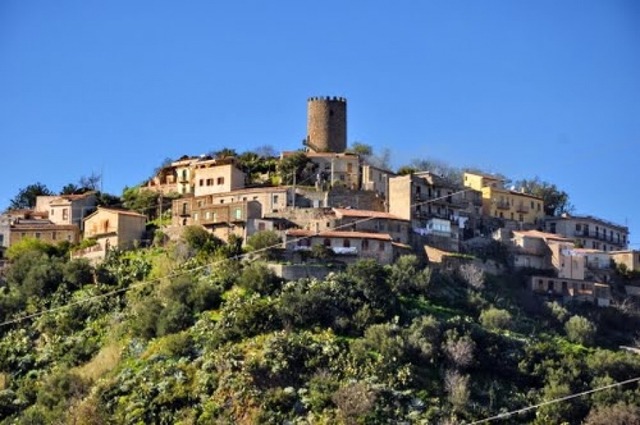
{"x": 330, "y": 196}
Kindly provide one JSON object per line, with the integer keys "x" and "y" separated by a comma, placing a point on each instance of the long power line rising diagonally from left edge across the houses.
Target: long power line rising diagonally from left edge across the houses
{"x": 191, "y": 270}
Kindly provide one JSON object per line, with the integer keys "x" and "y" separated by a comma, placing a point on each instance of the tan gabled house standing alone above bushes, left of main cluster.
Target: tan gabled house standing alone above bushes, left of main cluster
{"x": 112, "y": 228}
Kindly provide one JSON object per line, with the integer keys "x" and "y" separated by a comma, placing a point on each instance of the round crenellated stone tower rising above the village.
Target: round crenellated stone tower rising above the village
{"x": 327, "y": 124}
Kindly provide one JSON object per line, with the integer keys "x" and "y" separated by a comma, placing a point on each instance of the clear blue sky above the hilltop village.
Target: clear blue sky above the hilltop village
{"x": 540, "y": 88}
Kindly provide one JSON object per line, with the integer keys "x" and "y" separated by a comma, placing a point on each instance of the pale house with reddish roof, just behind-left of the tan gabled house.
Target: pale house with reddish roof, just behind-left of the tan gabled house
{"x": 67, "y": 209}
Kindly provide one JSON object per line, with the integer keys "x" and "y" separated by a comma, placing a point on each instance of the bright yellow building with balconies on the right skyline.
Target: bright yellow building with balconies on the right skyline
{"x": 504, "y": 203}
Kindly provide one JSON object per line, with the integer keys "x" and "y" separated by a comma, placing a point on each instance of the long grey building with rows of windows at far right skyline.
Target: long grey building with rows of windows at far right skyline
{"x": 590, "y": 232}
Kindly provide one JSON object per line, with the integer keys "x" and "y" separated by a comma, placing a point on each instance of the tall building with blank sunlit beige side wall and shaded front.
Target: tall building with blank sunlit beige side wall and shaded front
{"x": 436, "y": 209}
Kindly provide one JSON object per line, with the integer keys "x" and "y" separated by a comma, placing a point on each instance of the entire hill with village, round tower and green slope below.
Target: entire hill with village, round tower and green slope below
{"x": 315, "y": 287}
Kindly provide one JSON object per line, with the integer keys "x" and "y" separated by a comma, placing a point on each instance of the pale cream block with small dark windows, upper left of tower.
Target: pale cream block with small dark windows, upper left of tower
{"x": 217, "y": 176}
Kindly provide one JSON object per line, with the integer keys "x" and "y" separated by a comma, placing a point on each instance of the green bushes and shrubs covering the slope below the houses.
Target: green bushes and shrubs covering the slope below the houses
{"x": 184, "y": 332}
